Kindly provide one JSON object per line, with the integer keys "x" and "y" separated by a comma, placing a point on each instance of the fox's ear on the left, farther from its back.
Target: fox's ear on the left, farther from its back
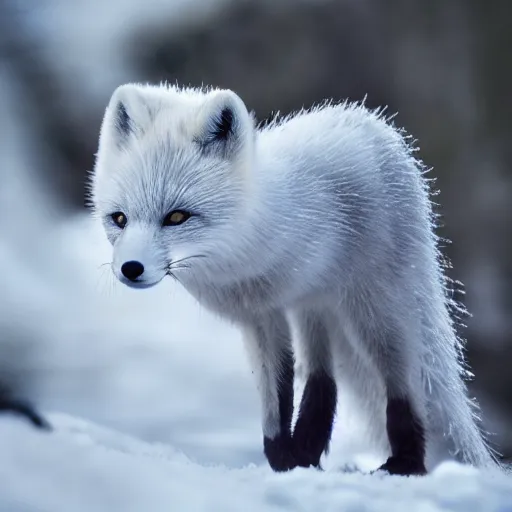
{"x": 127, "y": 113}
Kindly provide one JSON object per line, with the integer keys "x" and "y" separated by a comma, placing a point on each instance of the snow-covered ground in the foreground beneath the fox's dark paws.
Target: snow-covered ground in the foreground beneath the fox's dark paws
{"x": 82, "y": 467}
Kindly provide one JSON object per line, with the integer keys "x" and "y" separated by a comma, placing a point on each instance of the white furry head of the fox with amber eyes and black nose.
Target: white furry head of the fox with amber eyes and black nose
{"x": 170, "y": 182}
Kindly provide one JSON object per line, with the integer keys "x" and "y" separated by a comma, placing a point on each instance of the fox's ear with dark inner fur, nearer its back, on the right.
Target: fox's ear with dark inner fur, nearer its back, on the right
{"x": 226, "y": 124}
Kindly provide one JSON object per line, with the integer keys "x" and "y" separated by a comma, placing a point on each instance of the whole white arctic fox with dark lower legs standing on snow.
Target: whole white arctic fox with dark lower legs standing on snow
{"x": 321, "y": 220}
